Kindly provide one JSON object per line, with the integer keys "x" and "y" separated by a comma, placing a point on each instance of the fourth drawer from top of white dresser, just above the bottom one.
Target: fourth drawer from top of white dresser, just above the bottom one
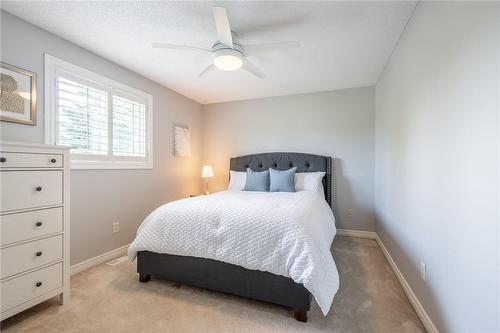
{"x": 19, "y": 258}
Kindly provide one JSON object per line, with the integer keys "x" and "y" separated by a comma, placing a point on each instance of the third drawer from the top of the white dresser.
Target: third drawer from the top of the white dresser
{"x": 23, "y": 226}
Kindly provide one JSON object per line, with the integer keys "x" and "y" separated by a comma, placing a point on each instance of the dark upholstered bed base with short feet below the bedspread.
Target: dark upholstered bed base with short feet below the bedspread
{"x": 227, "y": 278}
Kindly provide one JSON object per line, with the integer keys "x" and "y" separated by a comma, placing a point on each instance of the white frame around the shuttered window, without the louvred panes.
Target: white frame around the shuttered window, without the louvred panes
{"x": 55, "y": 67}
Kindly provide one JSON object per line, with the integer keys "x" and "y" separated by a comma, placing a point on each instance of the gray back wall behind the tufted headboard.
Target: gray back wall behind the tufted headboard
{"x": 338, "y": 124}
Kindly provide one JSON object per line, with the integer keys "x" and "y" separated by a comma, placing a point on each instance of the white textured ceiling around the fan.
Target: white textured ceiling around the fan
{"x": 344, "y": 44}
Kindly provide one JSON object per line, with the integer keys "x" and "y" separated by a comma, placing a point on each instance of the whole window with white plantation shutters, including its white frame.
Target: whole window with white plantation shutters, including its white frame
{"x": 108, "y": 124}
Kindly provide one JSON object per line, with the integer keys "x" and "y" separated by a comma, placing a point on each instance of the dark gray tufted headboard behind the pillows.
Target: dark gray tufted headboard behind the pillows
{"x": 284, "y": 161}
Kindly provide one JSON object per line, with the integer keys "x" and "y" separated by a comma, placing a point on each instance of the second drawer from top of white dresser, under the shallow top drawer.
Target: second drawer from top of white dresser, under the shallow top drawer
{"x": 26, "y": 189}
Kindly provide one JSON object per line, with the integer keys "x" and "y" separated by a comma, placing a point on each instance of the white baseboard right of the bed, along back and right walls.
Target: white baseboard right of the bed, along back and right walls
{"x": 419, "y": 309}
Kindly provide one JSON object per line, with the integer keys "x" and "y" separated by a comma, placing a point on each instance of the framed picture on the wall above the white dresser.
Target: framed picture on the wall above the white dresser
{"x": 17, "y": 95}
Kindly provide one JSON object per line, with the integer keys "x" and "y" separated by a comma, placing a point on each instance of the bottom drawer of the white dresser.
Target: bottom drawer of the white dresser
{"x": 29, "y": 286}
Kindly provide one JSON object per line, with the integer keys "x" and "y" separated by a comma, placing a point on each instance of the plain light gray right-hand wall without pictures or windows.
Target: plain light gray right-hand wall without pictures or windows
{"x": 437, "y": 161}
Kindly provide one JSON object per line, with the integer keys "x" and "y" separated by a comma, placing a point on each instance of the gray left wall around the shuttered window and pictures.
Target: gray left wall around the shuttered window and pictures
{"x": 101, "y": 197}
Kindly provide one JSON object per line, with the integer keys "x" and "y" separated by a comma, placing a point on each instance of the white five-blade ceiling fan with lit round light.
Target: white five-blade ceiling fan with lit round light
{"x": 228, "y": 53}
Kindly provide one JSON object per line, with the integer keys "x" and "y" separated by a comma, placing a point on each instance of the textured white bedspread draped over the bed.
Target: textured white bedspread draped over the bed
{"x": 287, "y": 234}
